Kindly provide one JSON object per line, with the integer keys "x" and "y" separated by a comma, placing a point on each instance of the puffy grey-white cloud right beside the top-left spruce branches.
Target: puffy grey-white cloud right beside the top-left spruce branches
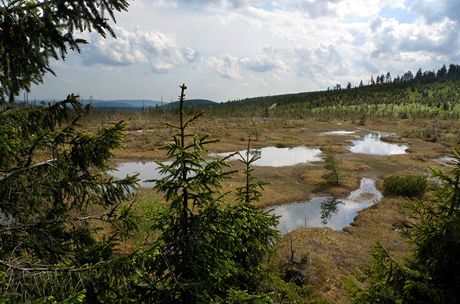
{"x": 153, "y": 47}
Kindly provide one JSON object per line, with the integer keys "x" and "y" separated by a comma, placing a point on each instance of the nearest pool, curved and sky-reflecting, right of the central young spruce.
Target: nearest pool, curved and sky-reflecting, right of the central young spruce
{"x": 308, "y": 213}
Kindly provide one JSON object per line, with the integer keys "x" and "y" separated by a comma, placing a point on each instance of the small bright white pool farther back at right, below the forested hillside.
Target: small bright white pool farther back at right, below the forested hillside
{"x": 372, "y": 145}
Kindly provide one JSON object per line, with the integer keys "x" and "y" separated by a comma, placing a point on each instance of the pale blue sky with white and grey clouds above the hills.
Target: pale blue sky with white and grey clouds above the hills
{"x": 233, "y": 49}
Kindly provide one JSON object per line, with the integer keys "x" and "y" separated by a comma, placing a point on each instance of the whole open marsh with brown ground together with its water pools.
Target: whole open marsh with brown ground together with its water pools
{"x": 344, "y": 243}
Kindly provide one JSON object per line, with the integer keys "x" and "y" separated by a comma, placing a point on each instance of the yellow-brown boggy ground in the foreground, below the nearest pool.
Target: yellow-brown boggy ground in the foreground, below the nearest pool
{"x": 328, "y": 259}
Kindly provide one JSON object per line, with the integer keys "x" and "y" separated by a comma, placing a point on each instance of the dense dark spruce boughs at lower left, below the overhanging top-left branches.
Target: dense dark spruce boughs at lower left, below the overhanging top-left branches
{"x": 54, "y": 200}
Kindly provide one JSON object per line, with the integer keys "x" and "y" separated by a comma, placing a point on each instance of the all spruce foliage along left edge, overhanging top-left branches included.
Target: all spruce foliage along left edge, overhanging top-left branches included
{"x": 61, "y": 216}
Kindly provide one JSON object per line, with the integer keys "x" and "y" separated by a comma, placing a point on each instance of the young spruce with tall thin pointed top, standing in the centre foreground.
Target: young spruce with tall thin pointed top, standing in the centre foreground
{"x": 206, "y": 249}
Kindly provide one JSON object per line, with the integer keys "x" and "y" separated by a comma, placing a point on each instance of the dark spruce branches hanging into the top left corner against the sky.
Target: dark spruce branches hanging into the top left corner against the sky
{"x": 32, "y": 32}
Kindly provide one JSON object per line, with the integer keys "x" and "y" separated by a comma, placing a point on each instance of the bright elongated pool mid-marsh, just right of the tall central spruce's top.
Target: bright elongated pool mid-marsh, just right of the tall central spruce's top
{"x": 279, "y": 157}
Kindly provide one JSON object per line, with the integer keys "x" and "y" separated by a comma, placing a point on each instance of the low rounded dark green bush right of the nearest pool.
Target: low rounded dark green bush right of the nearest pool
{"x": 409, "y": 186}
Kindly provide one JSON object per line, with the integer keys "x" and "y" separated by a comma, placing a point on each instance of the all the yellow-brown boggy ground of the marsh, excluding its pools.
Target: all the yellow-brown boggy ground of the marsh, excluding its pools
{"x": 327, "y": 257}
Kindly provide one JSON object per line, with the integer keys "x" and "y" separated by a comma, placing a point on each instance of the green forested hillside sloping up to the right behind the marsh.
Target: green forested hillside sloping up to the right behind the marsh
{"x": 414, "y": 98}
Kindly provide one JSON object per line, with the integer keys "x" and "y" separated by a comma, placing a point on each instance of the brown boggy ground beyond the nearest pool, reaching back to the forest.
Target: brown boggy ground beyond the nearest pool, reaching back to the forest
{"x": 146, "y": 136}
